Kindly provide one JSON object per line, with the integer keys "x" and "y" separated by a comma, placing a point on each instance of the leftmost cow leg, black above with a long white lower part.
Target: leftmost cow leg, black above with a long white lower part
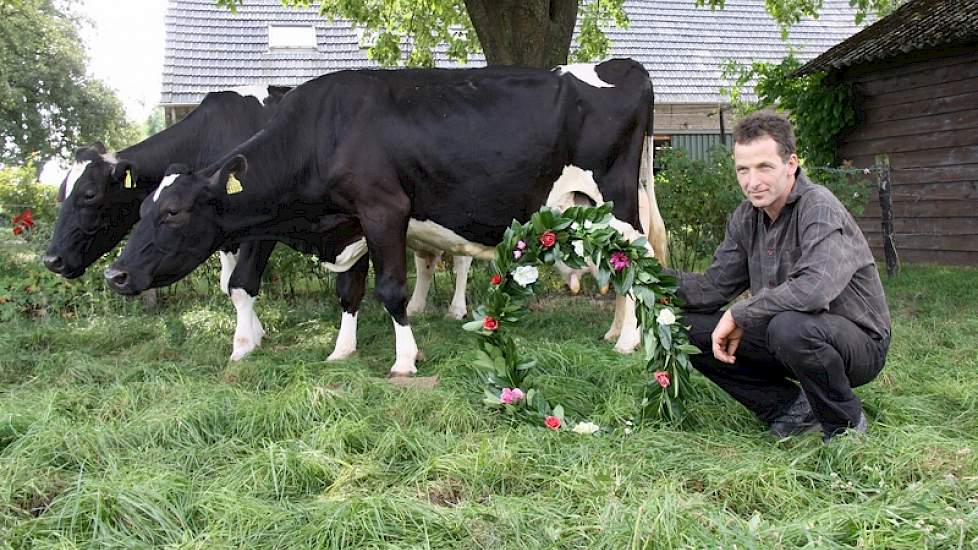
{"x": 244, "y": 284}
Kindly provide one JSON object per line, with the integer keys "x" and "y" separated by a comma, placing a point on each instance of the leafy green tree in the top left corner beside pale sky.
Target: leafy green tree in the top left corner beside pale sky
{"x": 48, "y": 105}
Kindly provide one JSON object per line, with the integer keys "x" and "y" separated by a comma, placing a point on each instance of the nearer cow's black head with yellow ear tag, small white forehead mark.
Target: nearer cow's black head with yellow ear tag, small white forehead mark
{"x": 178, "y": 229}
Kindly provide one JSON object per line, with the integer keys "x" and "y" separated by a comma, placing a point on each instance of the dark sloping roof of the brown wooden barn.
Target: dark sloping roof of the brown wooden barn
{"x": 916, "y": 25}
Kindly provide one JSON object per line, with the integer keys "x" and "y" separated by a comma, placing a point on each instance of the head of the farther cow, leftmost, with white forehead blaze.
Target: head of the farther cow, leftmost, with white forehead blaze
{"x": 99, "y": 204}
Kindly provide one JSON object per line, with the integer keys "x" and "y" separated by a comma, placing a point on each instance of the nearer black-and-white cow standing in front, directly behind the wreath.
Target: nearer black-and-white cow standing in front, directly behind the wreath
{"x": 434, "y": 159}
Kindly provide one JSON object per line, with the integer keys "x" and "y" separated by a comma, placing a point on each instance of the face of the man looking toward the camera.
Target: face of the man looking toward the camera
{"x": 764, "y": 177}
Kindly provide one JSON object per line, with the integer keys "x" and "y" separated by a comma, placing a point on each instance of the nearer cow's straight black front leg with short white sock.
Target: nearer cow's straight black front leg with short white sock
{"x": 385, "y": 226}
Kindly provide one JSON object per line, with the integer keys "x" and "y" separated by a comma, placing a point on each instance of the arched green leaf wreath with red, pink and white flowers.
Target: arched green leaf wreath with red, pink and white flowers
{"x": 576, "y": 236}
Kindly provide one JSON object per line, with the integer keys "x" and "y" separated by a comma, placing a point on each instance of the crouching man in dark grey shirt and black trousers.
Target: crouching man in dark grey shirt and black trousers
{"x": 816, "y": 323}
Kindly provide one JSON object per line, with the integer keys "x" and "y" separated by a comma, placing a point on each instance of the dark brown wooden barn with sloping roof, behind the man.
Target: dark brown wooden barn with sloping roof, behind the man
{"x": 915, "y": 73}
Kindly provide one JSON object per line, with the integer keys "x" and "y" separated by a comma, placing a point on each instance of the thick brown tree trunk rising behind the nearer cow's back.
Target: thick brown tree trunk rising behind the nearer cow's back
{"x": 533, "y": 33}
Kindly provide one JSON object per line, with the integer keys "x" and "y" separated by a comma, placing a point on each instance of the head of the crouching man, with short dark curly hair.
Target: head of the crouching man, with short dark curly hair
{"x": 765, "y": 160}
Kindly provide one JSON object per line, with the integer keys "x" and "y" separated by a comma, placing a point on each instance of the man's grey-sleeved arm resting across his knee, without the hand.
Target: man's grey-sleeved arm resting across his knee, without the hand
{"x": 827, "y": 263}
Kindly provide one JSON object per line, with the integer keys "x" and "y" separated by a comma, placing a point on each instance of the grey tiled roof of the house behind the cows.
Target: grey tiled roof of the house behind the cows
{"x": 684, "y": 47}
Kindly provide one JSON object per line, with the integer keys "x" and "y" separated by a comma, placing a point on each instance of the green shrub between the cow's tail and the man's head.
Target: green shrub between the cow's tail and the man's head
{"x": 695, "y": 197}
